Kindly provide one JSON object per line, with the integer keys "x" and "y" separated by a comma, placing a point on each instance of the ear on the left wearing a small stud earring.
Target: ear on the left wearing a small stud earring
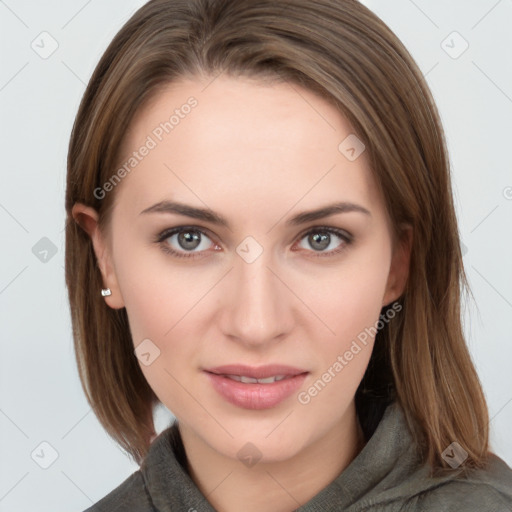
{"x": 87, "y": 218}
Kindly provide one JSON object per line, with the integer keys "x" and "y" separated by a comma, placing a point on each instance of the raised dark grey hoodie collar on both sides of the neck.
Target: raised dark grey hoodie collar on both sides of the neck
{"x": 387, "y": 468}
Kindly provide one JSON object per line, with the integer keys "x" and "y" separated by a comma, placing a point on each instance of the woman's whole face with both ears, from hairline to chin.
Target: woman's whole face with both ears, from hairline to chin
{"x": 273, "y": 283}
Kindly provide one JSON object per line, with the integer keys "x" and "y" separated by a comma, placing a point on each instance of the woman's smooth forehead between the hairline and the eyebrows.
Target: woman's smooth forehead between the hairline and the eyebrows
{"x": 242, "y": 142}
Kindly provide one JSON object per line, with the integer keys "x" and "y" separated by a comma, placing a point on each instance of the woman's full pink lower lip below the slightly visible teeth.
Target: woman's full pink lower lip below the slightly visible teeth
{"x": 255, "y": 396}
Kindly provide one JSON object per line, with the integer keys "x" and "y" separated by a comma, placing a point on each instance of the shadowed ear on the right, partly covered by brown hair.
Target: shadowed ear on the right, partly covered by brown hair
{"x": 399, "y": 268}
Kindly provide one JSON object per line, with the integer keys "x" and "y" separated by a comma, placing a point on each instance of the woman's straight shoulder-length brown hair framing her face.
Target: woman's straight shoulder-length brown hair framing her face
{"x": 345, "y": 53}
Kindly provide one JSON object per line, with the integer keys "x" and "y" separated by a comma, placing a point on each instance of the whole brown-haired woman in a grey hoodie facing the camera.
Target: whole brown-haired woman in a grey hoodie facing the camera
{"x": 261, "y": 193}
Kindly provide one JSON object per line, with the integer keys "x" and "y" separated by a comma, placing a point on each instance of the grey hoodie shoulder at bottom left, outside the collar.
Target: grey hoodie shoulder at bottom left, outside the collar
{"x": 130, "y": 495}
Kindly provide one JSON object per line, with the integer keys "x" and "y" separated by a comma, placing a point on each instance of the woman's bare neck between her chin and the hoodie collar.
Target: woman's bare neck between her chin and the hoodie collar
{"x": 282, "y": 485}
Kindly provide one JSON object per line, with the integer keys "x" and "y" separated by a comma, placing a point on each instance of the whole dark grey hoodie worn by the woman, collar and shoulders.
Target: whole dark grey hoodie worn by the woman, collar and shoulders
{"x": 386, "y": 476}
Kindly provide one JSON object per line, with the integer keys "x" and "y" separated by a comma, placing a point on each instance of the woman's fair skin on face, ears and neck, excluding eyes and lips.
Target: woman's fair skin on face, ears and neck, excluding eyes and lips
{"x": 257, "y": 154}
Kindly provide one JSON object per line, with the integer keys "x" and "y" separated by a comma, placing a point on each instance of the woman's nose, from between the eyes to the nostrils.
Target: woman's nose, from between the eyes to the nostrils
{"x": 257, "y": 306}
